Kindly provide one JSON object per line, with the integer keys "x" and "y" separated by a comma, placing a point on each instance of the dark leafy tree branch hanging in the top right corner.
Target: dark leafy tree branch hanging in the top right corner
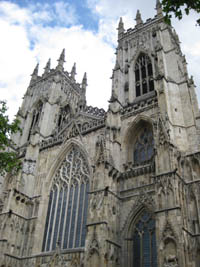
{"x": 178, "y": 7}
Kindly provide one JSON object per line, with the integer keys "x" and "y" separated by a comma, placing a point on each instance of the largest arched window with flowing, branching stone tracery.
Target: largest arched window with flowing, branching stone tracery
{"x": 68, "y": 201}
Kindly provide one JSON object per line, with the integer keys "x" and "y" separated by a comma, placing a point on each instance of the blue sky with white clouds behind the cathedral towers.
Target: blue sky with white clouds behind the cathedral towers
{"x": 32, "y": 31}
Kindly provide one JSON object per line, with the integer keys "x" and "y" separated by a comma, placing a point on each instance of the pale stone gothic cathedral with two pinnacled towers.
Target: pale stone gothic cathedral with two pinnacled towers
{"x": 108, "y": 189}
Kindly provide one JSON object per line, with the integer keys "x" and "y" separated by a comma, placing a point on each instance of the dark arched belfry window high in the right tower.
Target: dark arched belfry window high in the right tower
{"x": 143, "y": 75}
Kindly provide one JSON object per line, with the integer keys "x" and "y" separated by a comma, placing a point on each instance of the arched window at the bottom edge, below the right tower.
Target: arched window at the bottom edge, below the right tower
{"x": 144, "y": 242}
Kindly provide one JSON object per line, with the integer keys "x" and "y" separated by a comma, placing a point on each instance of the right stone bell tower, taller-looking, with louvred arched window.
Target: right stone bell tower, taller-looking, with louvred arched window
{"x": 149, "y": 62}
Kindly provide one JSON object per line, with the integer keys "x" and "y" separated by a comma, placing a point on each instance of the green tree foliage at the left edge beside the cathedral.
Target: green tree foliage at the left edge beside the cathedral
{"x": 9, "y": 161}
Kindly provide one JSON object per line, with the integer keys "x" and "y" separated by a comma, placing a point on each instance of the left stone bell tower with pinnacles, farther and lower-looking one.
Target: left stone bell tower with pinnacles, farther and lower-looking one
{"x": 51, "y": 101}
